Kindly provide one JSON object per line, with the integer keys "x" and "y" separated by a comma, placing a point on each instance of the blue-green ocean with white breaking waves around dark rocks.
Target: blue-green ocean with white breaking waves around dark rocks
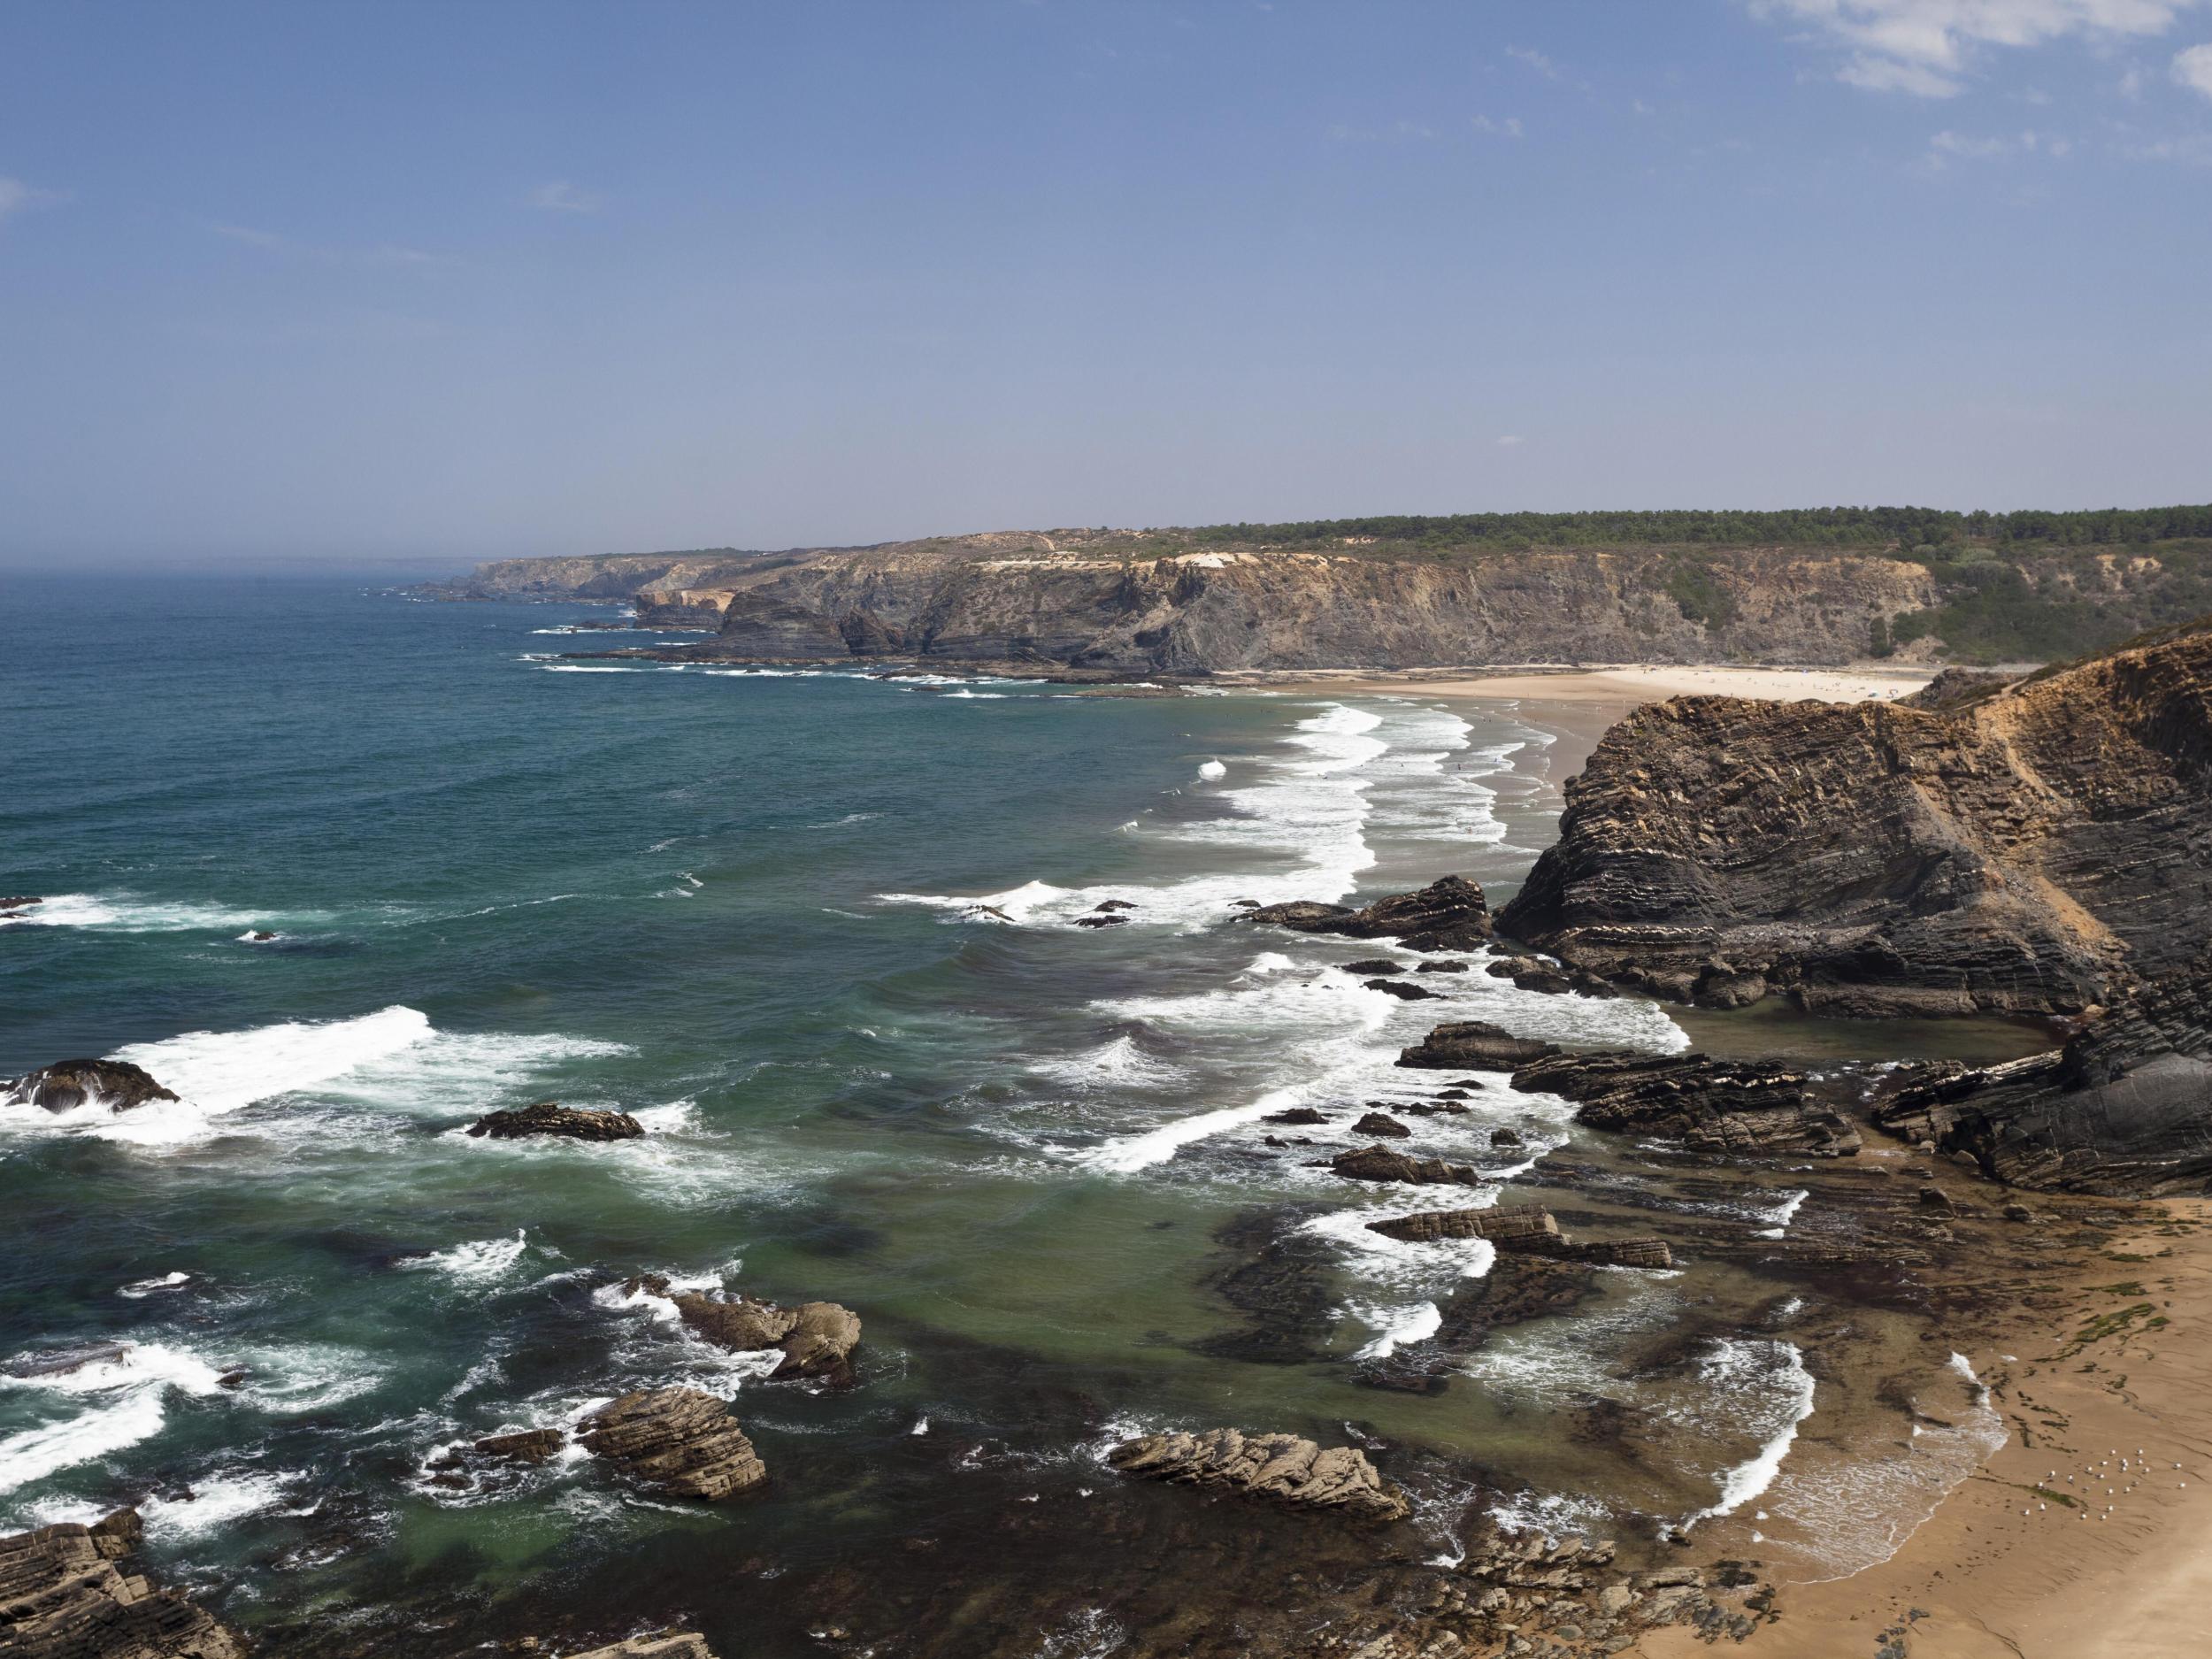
{"x": 815, "y": 930}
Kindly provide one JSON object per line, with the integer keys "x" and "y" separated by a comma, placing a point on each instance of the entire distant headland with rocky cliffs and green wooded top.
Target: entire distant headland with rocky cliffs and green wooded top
{"x": 1426, "y": 594}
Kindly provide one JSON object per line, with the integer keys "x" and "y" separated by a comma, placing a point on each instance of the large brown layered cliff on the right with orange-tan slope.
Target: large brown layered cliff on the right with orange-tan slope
{"x": 2032, "y": 853}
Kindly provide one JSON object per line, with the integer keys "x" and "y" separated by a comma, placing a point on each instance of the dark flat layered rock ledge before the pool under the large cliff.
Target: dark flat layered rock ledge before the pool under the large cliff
{"x": 1709, "y": 1105}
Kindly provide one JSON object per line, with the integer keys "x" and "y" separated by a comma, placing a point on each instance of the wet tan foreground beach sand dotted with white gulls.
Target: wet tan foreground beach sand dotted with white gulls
{"x": 2116, "y": 1368}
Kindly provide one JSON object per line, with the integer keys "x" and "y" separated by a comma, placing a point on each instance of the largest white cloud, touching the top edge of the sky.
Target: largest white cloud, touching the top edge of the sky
{"x": 1928, "y": 48}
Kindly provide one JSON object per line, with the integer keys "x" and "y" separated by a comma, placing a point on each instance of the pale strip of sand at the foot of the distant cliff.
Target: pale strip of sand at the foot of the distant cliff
{"x": 1625, "y": 682}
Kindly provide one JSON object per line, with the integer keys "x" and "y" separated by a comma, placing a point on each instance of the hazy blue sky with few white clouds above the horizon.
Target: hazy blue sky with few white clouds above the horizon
{"x": 450, "y": 282}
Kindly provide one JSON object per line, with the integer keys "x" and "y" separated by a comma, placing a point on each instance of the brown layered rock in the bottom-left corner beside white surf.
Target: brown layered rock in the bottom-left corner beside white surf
{"x": 63, "y": 1598}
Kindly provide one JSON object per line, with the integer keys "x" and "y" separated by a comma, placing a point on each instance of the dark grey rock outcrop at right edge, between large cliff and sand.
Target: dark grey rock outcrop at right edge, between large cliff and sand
{"x": 2125, "y": 1107}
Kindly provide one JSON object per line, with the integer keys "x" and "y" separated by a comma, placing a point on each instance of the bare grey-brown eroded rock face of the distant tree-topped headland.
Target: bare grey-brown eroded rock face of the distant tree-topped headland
{"x": 1036, "y": 598}
